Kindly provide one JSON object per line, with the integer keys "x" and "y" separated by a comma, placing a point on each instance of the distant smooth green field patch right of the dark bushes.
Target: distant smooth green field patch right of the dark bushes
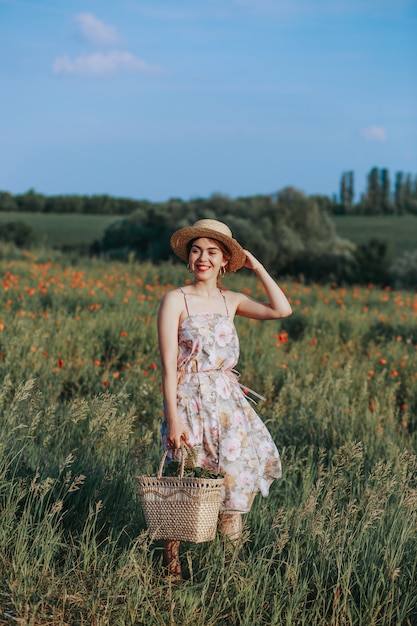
{"x": 401, "y": 231}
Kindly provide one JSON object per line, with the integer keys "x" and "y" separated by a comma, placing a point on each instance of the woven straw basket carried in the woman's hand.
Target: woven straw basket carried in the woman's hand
{"x": 180, "y": 508}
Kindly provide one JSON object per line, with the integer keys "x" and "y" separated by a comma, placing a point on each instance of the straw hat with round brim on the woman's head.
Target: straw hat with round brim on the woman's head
{"x": 213, "y": 230}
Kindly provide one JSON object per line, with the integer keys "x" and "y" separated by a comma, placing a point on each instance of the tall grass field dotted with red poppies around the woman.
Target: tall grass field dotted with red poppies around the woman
{"x": 334, "y": 544}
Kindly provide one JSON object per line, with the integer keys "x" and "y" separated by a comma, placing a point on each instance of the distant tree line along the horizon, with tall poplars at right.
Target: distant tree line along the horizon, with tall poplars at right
{"x": 380, "y": 197}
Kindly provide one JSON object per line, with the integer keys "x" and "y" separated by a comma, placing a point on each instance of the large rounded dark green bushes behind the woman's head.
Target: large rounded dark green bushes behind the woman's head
{"x": 292, "y": 233}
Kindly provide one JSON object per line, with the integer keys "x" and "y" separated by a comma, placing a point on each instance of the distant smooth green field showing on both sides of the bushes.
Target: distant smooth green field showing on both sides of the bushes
{"x": 59, "y": 229}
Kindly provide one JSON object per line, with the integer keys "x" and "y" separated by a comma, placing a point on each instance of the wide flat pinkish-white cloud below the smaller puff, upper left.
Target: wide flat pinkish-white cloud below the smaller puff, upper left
{"x": 100, "y": 64}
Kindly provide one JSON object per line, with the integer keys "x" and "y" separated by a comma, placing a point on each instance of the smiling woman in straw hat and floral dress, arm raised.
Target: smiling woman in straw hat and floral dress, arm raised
{"x": 205, "y": 406}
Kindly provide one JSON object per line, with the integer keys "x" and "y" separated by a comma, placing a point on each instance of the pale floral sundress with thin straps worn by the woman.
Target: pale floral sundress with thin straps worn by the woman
{"x": 226, "y": 432}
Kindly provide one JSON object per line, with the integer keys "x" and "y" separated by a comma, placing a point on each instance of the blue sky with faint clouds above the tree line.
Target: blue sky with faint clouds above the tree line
{"x": 184, "y": 98}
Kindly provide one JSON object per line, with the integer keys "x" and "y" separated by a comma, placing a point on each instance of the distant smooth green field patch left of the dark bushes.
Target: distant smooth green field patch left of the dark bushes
{"x": 67, "y": 228}
